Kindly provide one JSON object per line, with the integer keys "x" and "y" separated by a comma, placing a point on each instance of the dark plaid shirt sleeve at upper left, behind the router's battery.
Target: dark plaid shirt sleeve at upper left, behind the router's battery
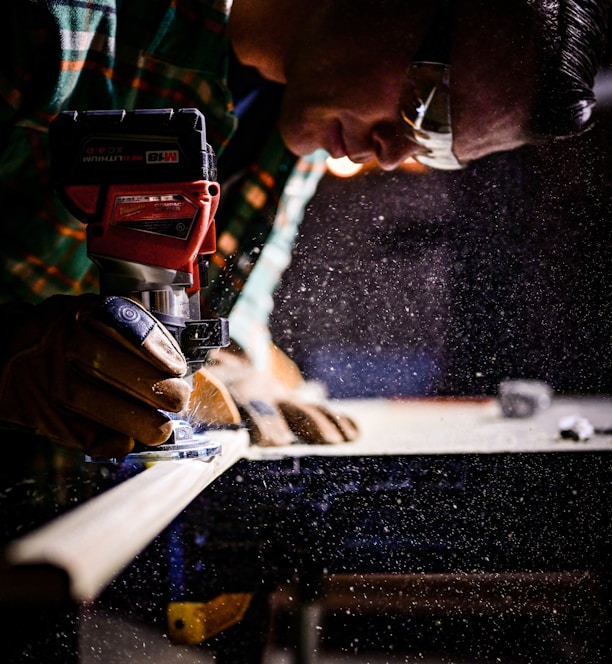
{"x": 64, "y": 55}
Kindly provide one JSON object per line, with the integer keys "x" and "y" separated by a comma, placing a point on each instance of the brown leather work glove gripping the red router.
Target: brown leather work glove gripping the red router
{"x": 91, "y": 373}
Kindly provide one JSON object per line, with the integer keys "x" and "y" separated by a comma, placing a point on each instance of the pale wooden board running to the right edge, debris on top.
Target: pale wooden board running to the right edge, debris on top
{"x": 455, "y": 426}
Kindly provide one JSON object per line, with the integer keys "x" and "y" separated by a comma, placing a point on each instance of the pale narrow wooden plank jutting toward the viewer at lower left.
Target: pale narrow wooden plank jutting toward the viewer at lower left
{"x": 96, "y": 540}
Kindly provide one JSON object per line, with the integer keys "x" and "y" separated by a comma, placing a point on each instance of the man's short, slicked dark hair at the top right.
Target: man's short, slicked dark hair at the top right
{"x": 565, "y": 99}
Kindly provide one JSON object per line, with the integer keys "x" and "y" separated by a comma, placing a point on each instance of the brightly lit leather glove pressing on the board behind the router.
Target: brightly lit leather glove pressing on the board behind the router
{"x": 274, "y": 406}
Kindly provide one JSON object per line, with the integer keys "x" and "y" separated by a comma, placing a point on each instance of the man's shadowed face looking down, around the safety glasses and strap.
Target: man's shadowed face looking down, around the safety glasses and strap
{"x": 349, "y": 72}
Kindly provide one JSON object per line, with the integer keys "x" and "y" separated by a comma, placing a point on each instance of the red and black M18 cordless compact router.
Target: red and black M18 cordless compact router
{"x": 144, "y": 183}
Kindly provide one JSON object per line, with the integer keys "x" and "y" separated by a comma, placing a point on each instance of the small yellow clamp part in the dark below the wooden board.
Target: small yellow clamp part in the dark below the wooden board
{"x": 190, "y": 623}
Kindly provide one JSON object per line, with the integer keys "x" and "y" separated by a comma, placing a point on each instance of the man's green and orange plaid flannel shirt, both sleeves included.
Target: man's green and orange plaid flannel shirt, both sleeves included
{"x": 61, "y": 54}
